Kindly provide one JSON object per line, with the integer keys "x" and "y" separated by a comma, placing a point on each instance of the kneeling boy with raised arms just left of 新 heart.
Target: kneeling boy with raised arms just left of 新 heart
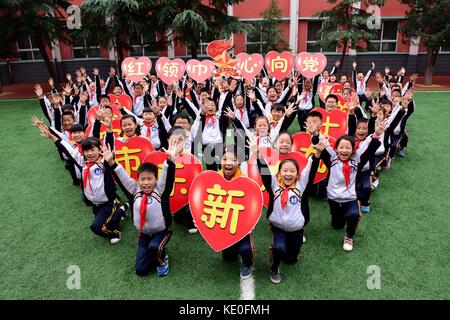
{"x": 151, "y": 208}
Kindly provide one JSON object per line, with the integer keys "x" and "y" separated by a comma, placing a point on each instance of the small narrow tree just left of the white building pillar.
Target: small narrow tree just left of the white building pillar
{"x": 270, "y": 28}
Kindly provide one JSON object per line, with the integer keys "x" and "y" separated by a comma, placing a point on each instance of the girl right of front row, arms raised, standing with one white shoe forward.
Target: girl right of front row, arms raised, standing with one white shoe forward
{"x": 342, "y": 163}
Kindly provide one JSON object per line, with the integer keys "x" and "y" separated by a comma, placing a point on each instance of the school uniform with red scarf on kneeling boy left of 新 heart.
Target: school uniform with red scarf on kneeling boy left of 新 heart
{"x": 151, "y": 215}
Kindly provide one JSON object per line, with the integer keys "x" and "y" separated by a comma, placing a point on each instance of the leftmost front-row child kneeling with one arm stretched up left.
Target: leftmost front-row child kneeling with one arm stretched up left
{"x": 98, "y": 185}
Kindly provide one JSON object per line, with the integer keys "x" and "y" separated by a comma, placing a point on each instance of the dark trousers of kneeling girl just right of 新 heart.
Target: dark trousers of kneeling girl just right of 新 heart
{"x": 285, "y": 247}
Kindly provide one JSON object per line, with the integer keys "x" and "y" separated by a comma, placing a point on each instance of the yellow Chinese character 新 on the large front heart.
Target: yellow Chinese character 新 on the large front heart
{"x": 219, "y": 211}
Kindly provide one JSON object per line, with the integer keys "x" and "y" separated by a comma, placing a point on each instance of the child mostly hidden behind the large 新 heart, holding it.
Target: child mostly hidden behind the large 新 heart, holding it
{"x": 245, "y": 247}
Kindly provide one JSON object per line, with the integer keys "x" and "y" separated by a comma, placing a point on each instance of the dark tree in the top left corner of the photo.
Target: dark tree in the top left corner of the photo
{"x": 42, "y": 20}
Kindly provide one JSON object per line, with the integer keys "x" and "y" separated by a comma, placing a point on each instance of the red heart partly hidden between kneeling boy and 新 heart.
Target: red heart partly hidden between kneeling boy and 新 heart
{"x": 187, "y": 168}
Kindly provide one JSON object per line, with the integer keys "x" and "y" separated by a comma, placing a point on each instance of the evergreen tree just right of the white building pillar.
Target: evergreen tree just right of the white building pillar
{"x": 346, "y": 26}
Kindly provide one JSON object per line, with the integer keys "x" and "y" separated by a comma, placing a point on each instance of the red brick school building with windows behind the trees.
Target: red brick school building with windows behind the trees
{"x": 299, "y": 27}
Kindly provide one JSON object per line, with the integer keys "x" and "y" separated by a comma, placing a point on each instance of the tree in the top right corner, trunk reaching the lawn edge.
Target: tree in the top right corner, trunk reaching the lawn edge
{"x": 428, "y": 20}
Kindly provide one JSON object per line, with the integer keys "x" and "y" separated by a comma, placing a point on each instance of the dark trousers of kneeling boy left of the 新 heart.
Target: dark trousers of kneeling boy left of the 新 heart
{"x": 151, "y": 251}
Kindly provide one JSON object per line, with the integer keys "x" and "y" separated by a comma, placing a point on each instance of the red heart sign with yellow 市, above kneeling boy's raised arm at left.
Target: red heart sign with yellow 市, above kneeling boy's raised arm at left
{"x": 131, "y": 154}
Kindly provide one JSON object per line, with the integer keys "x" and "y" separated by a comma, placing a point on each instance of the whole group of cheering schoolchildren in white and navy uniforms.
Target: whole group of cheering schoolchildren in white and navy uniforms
{"x": 191, "y": 117}
